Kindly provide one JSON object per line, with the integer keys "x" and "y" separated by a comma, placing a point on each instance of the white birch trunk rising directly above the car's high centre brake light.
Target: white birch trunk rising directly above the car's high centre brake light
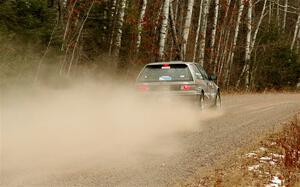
{"x": 163, "y": 29}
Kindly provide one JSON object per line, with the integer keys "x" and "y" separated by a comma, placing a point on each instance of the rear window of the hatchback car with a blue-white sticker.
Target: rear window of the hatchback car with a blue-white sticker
{"x": 165, "y": 72}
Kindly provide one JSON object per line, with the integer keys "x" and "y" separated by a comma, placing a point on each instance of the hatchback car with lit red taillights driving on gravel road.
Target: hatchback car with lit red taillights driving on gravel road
{"x": 184, "y": 79}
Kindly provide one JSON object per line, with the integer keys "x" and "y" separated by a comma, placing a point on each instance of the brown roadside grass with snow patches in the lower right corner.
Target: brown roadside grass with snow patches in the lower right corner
{"x": 274, "y": 161}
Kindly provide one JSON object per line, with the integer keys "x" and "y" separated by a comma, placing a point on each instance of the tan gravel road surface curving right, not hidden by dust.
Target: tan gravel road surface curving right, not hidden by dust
{"x": 243, "y": 119}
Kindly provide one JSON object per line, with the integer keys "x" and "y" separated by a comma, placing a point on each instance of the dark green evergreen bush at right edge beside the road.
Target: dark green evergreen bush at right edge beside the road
{"x": 275, "y": 65}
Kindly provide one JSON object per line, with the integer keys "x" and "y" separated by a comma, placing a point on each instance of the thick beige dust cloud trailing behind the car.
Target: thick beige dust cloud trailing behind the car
{"x": 46, "y": 131}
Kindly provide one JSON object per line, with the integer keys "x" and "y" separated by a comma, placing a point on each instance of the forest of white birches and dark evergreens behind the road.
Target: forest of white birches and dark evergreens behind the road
{"x": 248, "y": 44}
